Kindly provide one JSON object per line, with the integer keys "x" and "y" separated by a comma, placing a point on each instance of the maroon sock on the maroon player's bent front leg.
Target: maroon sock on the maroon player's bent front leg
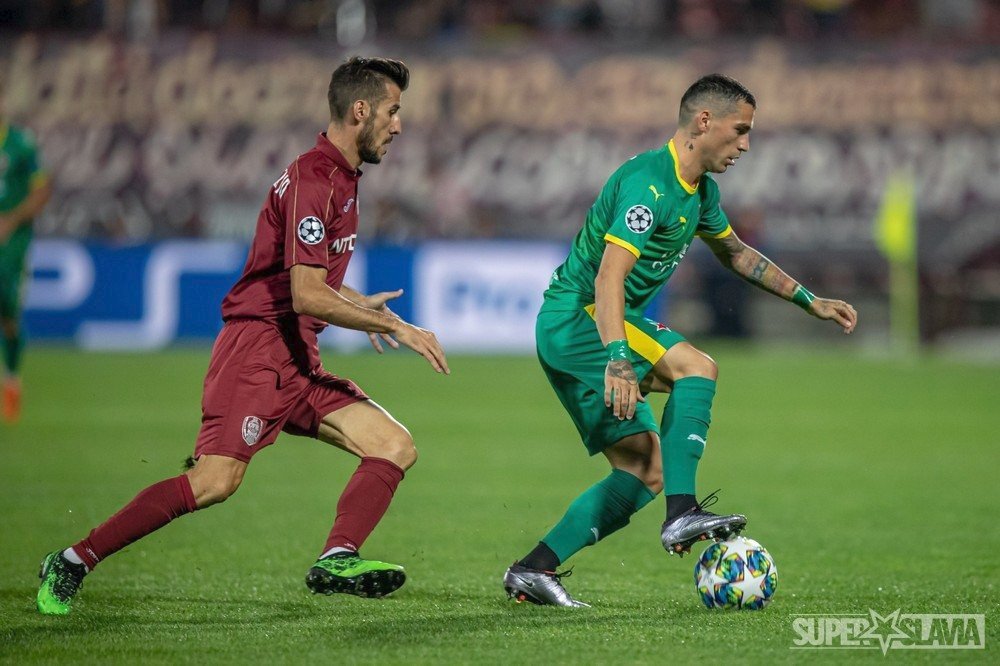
{"x": 363, "y": 502}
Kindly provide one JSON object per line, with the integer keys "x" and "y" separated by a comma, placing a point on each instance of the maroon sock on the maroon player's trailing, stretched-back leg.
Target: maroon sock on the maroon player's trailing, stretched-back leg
{"x": 151, "y": 509}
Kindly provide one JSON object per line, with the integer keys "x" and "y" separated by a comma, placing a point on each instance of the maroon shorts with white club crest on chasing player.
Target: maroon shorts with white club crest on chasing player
{"x": 254, "y": 390}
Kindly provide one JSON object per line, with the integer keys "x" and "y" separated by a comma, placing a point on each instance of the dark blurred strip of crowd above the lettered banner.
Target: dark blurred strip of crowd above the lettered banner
{"x": 446, "y": 20}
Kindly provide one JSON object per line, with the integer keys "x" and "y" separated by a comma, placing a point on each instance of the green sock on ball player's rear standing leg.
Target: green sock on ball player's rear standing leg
{"x": 602, "y": 509}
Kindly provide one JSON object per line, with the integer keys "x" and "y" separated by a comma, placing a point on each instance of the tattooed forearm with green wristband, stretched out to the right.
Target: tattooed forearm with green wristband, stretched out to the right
{"x": 758, "y": 270}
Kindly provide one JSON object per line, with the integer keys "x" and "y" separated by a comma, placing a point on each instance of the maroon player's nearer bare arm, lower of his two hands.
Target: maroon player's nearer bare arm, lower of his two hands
{"x": 312, "y": 296}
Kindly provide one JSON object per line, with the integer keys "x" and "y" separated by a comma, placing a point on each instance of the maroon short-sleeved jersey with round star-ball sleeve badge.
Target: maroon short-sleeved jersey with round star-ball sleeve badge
{"x": 310, "y": 217}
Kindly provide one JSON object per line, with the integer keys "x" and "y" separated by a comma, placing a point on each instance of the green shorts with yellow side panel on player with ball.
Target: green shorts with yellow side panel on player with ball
{"x": 574, "y": 359}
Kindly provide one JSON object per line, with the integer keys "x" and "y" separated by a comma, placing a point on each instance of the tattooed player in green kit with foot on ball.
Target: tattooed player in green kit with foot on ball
{"x": 602, "y": 356}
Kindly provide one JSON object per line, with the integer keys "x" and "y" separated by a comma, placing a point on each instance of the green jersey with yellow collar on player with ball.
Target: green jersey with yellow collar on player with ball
{"x": 648, "y": 209}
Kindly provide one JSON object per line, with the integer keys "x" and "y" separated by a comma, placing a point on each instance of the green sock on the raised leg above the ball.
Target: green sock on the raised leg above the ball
{"x": 684, "y": 431}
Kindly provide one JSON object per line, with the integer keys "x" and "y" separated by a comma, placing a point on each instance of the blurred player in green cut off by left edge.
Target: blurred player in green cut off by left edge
{"x": 24, "y": 191}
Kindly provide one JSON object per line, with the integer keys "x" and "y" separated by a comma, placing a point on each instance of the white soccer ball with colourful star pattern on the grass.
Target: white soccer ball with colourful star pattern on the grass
{"x": 738, "y": 573}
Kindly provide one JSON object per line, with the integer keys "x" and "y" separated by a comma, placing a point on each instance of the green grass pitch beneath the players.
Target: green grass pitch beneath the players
{"x": 872, "y": 482}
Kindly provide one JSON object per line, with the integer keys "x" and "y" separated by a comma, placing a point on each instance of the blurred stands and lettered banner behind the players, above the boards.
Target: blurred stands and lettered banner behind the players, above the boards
{"x": 160, "y": 119}
